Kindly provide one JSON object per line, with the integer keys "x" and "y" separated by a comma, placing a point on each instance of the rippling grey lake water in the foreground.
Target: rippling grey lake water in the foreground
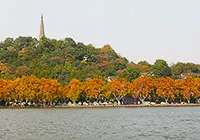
{"x": 178, "y": 123}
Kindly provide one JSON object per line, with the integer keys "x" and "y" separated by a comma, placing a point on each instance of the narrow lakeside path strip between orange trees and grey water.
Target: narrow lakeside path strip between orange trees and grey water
{"x": 101, "y": 106}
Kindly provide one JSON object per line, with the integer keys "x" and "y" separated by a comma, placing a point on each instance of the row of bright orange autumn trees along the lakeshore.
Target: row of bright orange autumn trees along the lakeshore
{"x": 33, "y": 90}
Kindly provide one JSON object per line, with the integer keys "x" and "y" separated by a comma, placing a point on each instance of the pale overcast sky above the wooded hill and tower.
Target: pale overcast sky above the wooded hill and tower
{"x": 136, "y": 29}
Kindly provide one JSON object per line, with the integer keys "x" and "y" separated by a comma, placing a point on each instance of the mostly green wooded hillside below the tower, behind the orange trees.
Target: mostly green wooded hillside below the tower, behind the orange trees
{"x": 66, "y": 59}
